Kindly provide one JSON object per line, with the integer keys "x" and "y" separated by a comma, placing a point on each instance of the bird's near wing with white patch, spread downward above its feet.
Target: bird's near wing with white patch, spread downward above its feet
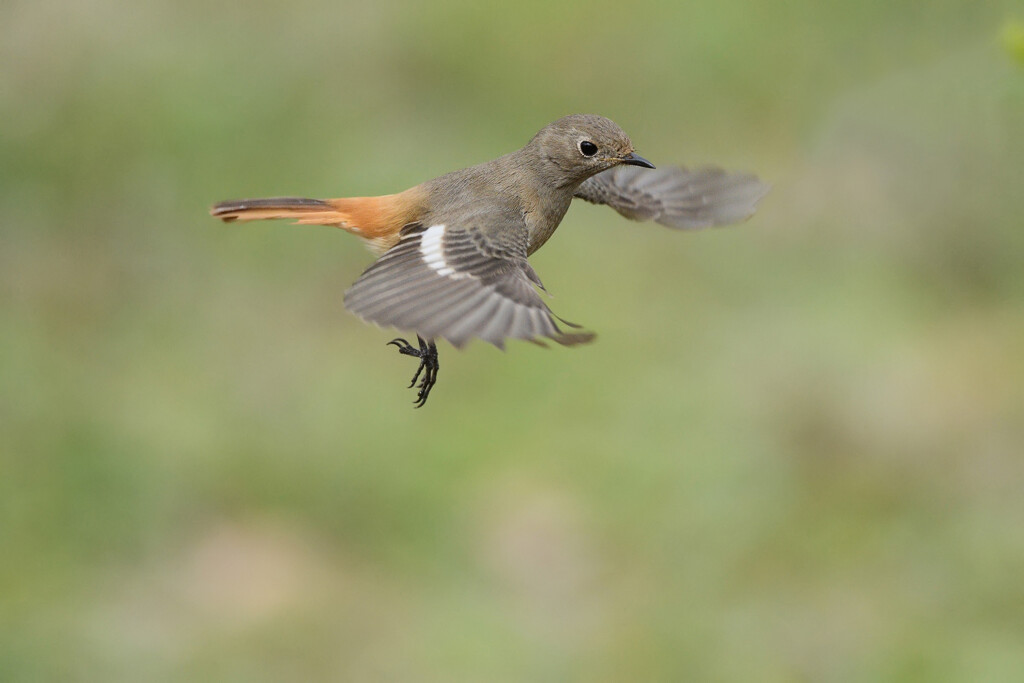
{"x": 459, "y": 282}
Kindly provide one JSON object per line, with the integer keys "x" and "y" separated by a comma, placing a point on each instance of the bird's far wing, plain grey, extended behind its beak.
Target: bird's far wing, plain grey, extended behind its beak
{"x": 676, "y": 197}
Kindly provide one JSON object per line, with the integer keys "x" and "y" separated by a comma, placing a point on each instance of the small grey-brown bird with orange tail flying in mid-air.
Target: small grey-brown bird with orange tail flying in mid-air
{"x": 453, "y": 251}
